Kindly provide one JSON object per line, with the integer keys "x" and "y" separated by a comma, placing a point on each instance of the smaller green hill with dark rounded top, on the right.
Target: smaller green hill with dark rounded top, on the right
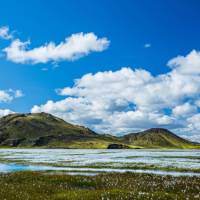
{"x": 158, "y": 137}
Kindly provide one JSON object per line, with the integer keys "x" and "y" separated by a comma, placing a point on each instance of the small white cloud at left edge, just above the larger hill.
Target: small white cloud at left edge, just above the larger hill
{"x": 9, "y": 95}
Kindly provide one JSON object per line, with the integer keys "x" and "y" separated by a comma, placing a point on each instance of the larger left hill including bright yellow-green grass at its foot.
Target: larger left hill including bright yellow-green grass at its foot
{"x": 48, "y": 131}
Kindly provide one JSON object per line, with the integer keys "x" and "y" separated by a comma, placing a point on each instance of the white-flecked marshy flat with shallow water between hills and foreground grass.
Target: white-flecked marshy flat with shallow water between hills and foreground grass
{"x": 91, "y": 162}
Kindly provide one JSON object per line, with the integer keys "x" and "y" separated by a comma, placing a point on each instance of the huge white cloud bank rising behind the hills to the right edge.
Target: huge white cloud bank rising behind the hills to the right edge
{"x": 131, "y": 100}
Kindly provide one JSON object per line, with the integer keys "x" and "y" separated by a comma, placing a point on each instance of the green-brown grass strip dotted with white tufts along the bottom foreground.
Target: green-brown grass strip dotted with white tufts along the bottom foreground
{"x": 40, "y": 186}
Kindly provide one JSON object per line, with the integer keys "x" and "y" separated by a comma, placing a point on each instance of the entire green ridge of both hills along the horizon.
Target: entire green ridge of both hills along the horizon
{"x": 47, "y": 131}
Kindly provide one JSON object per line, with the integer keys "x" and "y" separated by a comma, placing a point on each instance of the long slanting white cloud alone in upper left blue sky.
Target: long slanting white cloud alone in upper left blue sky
{"x": 74, "y": 47}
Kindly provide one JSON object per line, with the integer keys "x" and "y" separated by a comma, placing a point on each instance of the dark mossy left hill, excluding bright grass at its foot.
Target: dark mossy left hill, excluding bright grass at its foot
{"x": 39, "y": 129}
